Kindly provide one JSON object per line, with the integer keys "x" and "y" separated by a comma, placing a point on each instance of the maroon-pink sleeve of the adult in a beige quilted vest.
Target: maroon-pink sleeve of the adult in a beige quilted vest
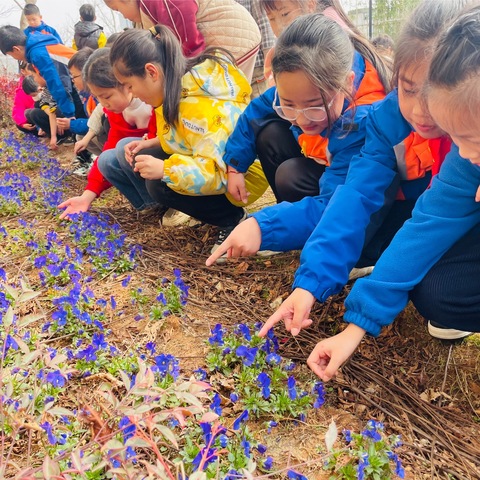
{"x": 181, "y": 17}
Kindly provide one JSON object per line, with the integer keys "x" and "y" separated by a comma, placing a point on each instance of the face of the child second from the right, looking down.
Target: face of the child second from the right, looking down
{"x": 412, "y": 102}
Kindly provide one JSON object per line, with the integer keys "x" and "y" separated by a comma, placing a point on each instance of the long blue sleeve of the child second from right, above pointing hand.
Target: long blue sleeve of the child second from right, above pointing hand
{"x": 372, "y": 183}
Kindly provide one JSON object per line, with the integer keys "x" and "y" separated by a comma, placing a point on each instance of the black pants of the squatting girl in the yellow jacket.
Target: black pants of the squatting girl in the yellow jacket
{"x": 212, "y": 209}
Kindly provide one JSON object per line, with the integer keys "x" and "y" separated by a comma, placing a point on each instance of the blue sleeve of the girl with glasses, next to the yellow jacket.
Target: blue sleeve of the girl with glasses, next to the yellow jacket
{"x": 241, "y": 150}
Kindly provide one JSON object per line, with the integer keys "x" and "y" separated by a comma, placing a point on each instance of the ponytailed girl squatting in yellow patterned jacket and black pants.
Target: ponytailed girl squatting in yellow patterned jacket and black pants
{"x": 197, "y": 103}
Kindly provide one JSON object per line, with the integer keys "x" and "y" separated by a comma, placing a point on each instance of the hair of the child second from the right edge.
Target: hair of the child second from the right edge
{"x": 418, "y": 36}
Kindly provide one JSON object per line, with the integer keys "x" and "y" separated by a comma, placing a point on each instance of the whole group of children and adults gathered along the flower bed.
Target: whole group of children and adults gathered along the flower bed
{"x": 202, "y": 105}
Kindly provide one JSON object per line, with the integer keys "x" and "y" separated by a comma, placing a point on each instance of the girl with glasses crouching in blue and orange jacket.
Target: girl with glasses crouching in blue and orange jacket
{"x": 321, "y": 101}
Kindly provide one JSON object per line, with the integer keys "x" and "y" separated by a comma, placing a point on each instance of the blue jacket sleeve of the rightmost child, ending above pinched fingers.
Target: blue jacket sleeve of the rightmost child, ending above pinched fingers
{"x": 442, "y": 215}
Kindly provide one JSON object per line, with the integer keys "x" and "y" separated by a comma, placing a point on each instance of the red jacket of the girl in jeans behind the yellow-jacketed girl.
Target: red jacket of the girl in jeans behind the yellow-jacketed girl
{"x": 119, "y": 129}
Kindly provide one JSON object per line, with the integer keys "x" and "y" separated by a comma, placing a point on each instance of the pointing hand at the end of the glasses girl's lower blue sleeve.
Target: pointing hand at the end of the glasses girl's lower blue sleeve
{"x": 244, "y": 241}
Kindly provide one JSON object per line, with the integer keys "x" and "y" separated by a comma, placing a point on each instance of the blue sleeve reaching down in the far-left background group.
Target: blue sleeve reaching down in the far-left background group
{"x": 41, "y": 59}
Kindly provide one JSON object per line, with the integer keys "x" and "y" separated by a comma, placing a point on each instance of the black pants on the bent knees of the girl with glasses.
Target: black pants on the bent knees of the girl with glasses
{"x": 290, "y": 175}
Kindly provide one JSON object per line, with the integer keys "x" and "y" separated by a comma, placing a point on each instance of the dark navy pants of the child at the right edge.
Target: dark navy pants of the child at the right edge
{"x": 450, "y": 292}
